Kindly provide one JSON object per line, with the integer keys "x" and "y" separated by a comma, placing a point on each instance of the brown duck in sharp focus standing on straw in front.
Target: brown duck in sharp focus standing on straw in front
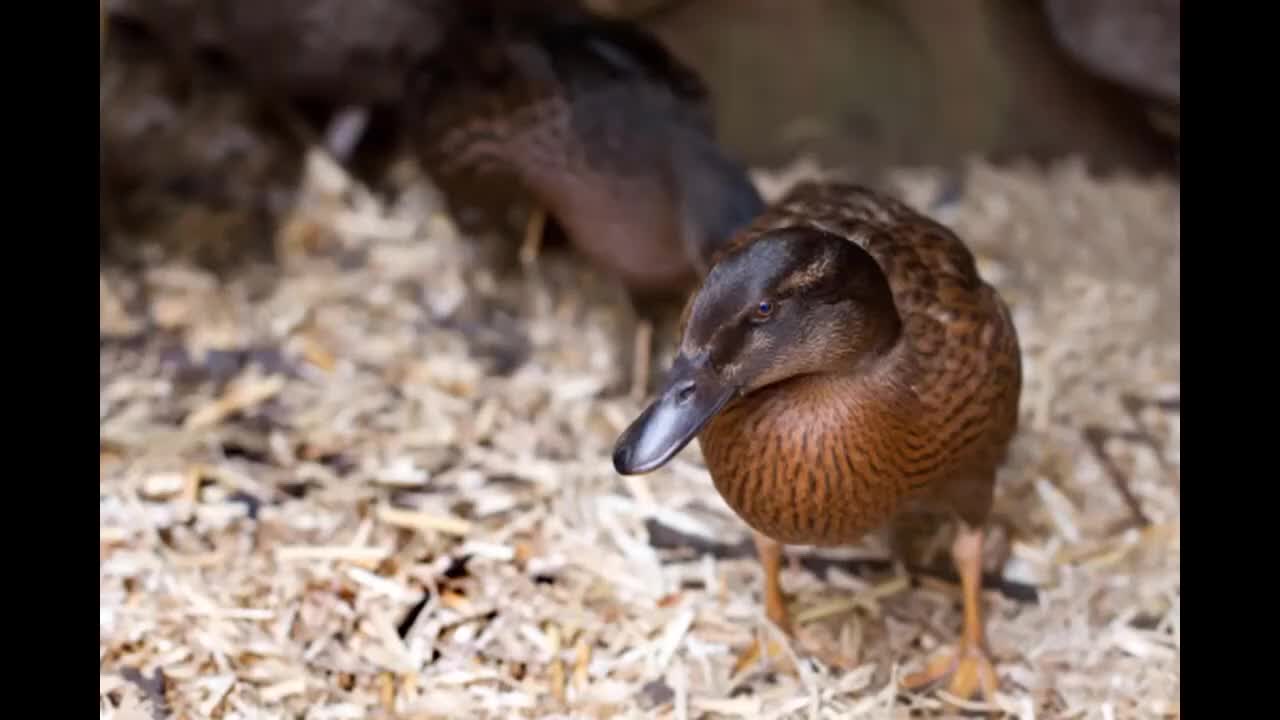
{"x": 845, "y": 367}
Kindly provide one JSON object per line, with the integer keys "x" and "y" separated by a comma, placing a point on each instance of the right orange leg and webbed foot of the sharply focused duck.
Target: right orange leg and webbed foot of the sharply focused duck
{"x": 967, "y": 667}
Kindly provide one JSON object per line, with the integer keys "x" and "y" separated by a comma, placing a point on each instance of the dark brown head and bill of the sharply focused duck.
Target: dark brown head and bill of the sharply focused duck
{"x": 788, "y": 303}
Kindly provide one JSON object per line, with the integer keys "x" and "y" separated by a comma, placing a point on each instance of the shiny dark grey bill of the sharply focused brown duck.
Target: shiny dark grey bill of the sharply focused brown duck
{"x": 691, "y": 399}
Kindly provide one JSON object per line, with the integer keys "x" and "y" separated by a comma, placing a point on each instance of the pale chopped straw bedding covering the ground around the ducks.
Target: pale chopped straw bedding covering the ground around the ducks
{"x": 374, "y": 481}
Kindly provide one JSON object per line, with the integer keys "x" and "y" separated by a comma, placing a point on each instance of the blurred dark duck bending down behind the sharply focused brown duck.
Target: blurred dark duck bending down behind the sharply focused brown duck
{"x": 601, "y": 129}
